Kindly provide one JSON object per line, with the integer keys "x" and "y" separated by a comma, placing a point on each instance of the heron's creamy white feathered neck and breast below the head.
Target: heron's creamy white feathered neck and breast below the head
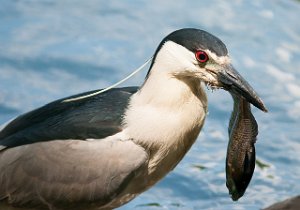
{"x": 165, "y": 116}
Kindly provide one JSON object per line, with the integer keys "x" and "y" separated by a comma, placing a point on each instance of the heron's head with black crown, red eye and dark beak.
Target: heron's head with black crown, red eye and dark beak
{"x": 193, "y": 53}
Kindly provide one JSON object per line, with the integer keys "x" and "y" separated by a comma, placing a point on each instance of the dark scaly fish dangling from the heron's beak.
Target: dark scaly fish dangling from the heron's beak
{"x": 240, "y": 158}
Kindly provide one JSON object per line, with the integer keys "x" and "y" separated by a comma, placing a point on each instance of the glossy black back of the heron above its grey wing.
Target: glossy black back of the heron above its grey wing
{"x": 97, "y": 116}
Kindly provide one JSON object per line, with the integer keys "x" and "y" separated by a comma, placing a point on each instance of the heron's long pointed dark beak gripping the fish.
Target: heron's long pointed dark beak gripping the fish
{"x": 233, "y": 82}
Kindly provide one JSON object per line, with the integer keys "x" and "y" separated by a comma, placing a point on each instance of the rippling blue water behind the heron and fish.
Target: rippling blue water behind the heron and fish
{"x": 51, "y": 49}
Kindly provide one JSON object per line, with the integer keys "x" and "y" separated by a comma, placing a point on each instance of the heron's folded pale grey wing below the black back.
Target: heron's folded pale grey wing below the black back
{"x": 69, "y": 173}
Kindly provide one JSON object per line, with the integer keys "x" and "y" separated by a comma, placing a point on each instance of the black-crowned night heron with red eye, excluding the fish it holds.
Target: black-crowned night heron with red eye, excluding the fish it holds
{"x": 102, "y": 150}
